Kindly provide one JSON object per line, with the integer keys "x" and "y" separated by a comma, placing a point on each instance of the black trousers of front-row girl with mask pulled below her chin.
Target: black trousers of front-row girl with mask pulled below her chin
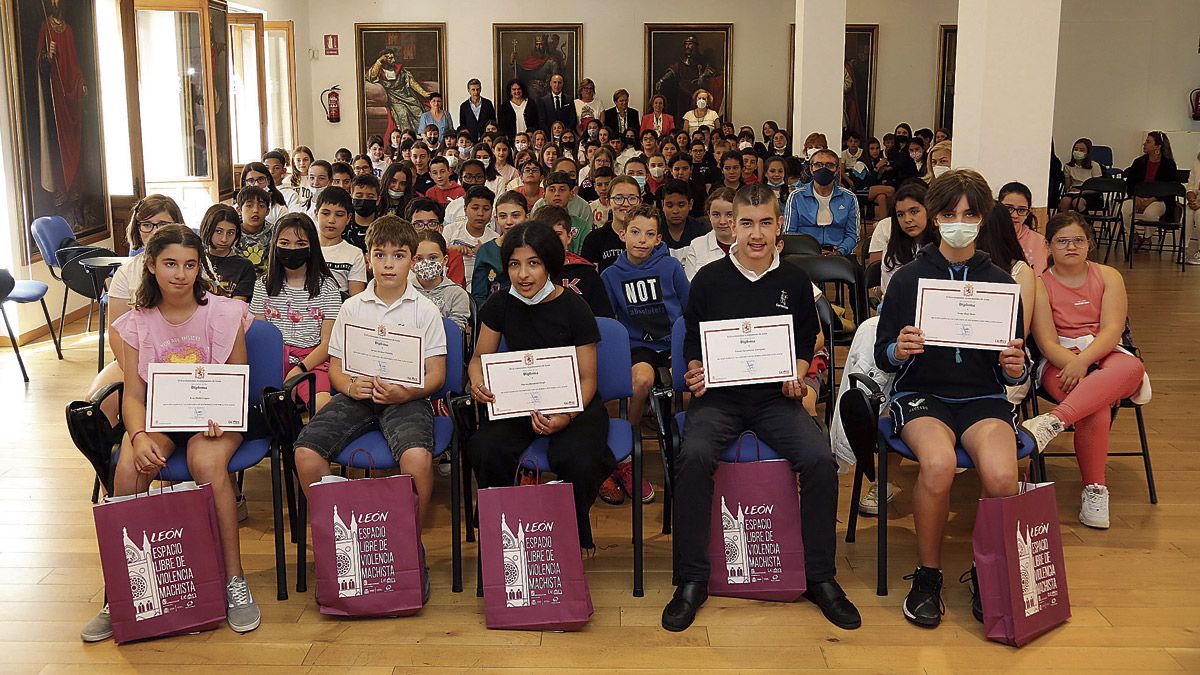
{"x": 579, "y": 455}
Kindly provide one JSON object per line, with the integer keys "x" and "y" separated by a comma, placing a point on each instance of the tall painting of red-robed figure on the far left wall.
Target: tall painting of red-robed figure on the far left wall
{"x": 55, "y": 99}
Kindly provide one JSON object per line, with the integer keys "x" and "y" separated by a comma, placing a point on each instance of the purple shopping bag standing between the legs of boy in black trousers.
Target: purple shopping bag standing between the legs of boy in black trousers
{"x": 755, "y": 549}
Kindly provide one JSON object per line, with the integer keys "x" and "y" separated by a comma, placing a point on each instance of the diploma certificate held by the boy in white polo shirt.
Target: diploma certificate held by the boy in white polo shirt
{"x": 386, "y": 353}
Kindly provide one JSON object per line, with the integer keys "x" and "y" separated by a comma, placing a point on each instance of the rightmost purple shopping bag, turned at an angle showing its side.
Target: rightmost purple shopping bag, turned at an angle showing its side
{"x": 1019, "y": 563}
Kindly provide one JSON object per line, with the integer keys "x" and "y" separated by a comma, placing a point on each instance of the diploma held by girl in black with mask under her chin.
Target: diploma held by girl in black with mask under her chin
{"x": 547, "y": 381}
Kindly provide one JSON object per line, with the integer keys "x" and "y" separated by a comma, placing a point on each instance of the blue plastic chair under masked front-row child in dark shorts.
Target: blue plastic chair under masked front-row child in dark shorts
{"x": 873, "y": 438}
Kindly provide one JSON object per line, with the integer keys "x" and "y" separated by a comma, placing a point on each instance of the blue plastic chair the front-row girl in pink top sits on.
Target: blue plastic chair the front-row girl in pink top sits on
{"x": 265, "y": 354}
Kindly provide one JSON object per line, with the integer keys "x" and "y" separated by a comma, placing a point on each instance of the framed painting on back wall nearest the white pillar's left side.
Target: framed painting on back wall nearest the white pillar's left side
{"x": 683, "y": 58}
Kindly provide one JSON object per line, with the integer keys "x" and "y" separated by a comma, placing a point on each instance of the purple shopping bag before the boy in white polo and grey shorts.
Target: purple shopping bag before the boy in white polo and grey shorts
{"x": 368, "y": 547}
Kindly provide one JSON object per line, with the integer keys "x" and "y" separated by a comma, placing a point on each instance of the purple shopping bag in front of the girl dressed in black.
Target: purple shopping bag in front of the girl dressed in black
{"x": 532, "y": 565}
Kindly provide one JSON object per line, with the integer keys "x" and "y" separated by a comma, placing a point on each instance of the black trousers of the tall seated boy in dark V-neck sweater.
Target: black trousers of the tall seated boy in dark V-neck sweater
{"x": 713, "y": 423}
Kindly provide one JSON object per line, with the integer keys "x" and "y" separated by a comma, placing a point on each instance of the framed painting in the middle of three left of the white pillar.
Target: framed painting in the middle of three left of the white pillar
{"x": 533, "y": 53}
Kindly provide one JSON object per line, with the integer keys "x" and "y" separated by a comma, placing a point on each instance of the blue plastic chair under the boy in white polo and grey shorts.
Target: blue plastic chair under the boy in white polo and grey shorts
{"x": 371, "y": 452}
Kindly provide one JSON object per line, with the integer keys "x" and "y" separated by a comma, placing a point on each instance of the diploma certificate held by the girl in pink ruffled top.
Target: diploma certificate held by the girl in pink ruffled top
{"x": 185, "y": 397}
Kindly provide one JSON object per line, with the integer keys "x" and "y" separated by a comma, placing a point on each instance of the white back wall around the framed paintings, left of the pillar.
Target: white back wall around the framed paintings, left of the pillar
{"x": 613, "y": 50}
